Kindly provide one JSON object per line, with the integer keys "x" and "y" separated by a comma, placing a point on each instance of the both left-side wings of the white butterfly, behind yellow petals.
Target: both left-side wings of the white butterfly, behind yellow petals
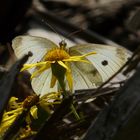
{"x": 39, "y": 47}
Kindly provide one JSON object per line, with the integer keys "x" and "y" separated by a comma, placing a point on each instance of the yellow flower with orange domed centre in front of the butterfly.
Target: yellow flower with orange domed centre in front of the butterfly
{"x": 58, "y": 60}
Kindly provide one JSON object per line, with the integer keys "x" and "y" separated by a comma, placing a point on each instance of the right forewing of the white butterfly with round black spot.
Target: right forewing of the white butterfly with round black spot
{"x": 106, "y": 61}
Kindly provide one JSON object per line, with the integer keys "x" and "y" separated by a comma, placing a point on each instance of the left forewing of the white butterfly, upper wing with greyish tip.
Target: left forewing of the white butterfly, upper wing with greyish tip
{"x": 37, "y": 45}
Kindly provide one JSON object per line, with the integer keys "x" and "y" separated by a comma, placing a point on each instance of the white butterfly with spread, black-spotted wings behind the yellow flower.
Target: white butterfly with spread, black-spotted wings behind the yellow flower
{"x": 104, "y": 63}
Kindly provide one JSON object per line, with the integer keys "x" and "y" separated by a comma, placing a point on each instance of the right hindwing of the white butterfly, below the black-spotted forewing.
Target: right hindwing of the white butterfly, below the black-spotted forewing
{"x": 83, "y": 76}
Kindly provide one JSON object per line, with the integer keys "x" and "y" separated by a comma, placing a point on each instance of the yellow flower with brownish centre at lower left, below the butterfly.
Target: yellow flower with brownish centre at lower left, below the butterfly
{"x": 15, "y": 108}
